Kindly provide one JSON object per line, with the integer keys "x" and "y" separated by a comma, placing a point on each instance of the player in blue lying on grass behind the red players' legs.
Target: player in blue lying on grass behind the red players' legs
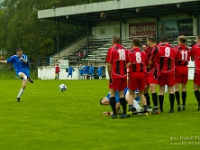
{"x": 136, "y": 107}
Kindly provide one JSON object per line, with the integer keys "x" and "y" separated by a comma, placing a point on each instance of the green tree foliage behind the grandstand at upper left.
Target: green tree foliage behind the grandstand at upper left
{"x": 20, "y": 27}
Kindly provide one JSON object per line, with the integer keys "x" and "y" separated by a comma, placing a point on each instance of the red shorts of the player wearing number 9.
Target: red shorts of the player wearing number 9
{"x": 166, "y": 79}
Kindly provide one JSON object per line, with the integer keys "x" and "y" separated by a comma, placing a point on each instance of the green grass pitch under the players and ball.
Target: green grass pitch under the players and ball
{"x": 47, "y": 119}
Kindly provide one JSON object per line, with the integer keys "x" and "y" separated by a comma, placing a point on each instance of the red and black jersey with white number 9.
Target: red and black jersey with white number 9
{"x": 167, "y": 58}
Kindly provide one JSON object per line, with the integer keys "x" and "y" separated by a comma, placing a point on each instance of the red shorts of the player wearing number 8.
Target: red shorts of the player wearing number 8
{"x": 136, "y": 81}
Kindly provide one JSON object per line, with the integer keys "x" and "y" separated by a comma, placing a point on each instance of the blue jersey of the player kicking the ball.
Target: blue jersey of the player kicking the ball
{"x": 19, "y": 65}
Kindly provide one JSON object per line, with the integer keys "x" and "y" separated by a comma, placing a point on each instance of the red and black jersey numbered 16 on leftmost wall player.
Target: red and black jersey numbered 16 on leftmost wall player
{"x": 117, "y": 56}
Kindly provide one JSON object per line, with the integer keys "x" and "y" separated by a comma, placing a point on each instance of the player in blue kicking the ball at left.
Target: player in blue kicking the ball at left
{"x": 21, "y": 66}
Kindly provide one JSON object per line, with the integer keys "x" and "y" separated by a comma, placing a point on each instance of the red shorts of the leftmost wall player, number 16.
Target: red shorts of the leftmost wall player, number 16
{"x": 118, "y": 84}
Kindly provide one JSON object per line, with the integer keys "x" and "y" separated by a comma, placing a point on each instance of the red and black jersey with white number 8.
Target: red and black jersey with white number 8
{"x": 138, "y": 60}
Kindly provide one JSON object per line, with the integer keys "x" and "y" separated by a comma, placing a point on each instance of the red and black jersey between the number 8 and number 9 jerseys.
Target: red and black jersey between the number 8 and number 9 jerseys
{"x": 154, "y": 56}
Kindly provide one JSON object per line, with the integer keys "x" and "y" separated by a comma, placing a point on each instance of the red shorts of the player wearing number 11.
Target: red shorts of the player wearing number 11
{"x": 181, "y": 74}
